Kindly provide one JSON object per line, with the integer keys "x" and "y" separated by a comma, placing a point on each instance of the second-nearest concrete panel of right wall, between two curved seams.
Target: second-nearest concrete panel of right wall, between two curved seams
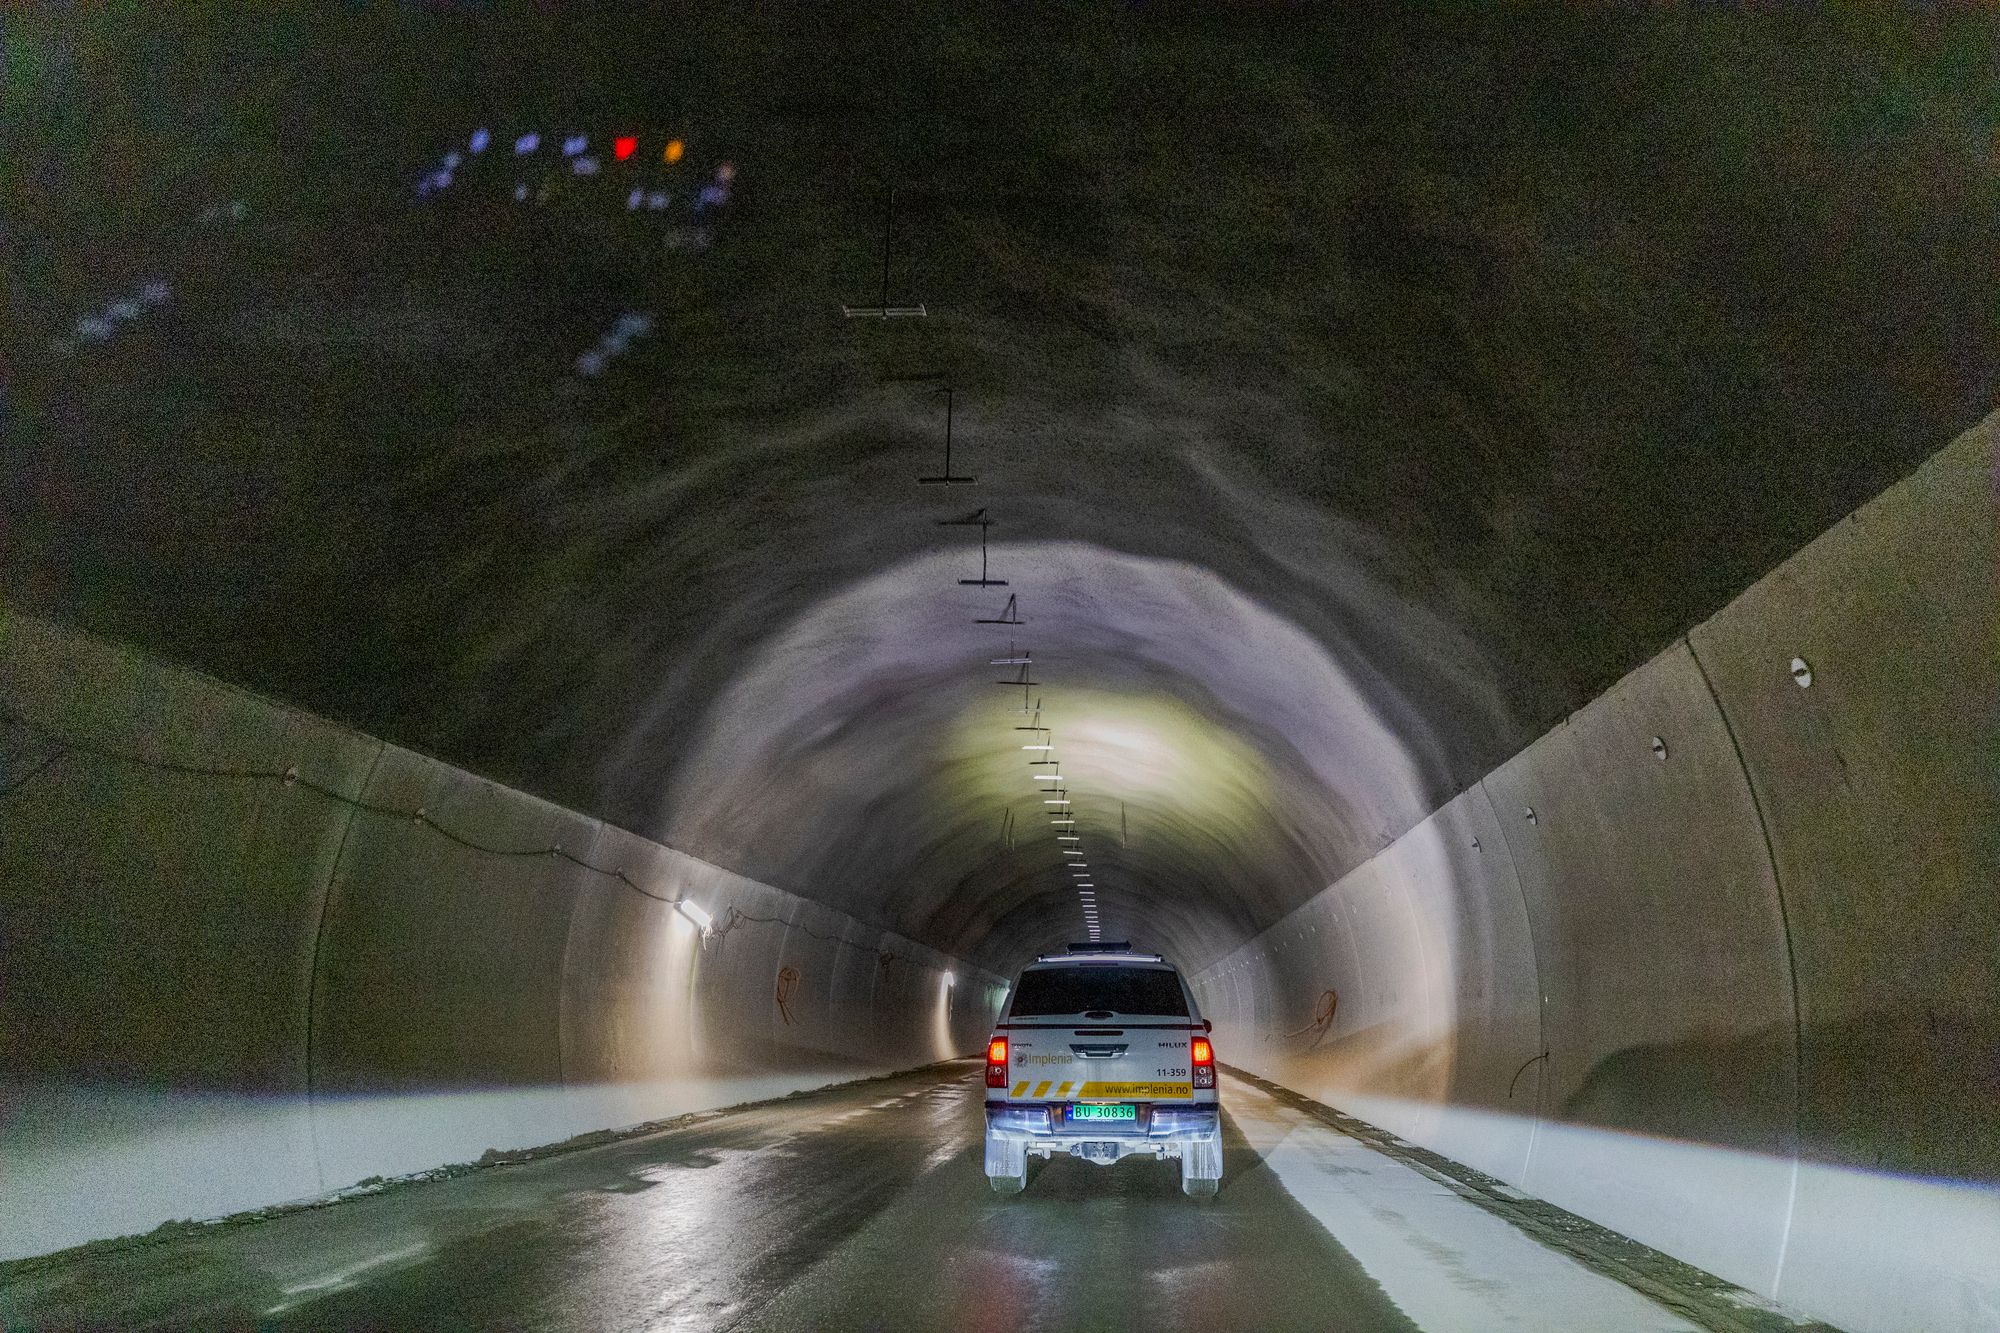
{"x": 1663, "y": 960}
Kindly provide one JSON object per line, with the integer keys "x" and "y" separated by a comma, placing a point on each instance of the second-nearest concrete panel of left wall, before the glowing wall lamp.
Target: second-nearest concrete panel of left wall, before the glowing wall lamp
{"x": 437, "y": 1008}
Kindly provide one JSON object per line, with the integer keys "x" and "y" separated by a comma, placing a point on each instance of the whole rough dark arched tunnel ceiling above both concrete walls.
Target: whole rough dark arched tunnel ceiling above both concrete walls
{"x": 1351, "y": 395}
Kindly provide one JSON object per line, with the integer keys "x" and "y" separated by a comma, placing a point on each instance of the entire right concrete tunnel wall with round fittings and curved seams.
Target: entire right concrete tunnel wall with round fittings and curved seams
{"x": 1715, "y": 960}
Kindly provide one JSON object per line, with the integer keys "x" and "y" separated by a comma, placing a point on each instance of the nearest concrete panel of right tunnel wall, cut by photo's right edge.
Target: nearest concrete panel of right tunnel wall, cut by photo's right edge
{"x": 1879, "y": 792}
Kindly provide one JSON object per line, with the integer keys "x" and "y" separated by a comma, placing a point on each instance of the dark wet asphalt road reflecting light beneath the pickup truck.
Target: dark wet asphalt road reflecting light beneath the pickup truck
{"x": 859, "y": 1208}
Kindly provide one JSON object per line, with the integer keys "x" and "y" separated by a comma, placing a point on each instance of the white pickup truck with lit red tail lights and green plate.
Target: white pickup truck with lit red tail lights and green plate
{"x": 1103, "y": 1056}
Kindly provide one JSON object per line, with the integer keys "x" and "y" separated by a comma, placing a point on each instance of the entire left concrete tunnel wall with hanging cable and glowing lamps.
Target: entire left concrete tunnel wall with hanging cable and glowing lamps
{"x": 225, "y": 990}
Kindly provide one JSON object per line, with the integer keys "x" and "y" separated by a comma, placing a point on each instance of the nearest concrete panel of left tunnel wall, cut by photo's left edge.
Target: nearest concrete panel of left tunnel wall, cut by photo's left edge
{"x": 157, "y": 938}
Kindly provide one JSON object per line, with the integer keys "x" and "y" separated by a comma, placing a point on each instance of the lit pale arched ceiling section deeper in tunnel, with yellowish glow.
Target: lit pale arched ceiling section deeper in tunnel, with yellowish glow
{"x": 871, "y": 752}
